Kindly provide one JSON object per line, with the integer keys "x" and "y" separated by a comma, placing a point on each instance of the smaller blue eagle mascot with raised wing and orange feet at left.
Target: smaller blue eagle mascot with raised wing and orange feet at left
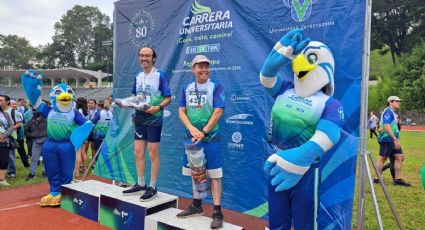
{"x": 67, "y": 129}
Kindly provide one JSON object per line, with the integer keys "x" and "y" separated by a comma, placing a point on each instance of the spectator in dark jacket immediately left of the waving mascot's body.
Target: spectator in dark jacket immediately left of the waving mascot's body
{"x": 36, "y": 129}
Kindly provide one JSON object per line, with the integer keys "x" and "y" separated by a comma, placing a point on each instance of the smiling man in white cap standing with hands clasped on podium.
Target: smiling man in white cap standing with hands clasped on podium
{"x": 200, "y": 108}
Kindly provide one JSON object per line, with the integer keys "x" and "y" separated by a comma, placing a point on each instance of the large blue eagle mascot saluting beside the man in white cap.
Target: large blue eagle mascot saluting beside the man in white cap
{"x": 306, "y": 123}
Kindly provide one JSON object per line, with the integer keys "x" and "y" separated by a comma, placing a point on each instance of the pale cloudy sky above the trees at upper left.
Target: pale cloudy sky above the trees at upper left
{"x": 34, "y": 19}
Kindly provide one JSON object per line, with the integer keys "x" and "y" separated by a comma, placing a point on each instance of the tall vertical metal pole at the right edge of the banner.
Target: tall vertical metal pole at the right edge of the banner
{"x": 363, "y": 117}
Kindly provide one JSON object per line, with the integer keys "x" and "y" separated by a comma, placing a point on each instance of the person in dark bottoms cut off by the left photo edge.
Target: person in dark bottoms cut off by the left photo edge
{"x": 6, "y": 128}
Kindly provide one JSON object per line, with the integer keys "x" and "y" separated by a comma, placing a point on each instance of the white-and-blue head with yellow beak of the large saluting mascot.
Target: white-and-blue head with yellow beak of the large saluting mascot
{"x": 314, "y": 70}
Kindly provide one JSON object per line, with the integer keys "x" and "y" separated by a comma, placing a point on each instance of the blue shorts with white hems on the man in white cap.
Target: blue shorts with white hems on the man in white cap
{"x": 212, "y": 152}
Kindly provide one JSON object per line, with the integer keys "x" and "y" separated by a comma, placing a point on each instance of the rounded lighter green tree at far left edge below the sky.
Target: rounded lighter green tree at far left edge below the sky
{"x": 16, "y": 51}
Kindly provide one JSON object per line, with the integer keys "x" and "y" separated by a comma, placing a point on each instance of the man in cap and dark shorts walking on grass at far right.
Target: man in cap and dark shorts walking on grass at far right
{"x": 389, "y": 140}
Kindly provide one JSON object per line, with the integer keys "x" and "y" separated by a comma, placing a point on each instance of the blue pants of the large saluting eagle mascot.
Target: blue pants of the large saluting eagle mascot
{"x": 294, "y": 206}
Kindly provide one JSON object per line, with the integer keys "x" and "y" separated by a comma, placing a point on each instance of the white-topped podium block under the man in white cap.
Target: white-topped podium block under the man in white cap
{"x": 167, "y": 219}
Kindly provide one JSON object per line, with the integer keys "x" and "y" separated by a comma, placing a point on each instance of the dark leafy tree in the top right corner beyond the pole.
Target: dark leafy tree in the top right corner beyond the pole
{"x": 397, "y": 24}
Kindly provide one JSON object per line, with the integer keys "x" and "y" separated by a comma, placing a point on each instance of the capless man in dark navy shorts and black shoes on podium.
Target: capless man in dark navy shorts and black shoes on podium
{"x": 152, "y": 86}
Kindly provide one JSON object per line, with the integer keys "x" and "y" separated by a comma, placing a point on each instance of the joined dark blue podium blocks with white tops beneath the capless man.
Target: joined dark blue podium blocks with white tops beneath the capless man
{"x": 104, "y": 203}
